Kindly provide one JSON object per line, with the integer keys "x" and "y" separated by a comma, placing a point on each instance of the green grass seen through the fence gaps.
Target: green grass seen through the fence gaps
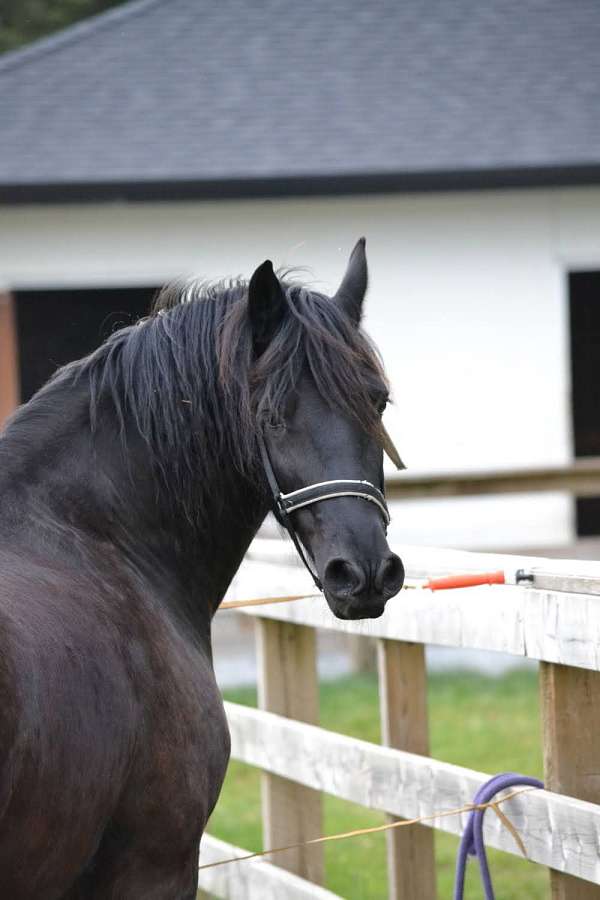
{"x": 487, "y": 724}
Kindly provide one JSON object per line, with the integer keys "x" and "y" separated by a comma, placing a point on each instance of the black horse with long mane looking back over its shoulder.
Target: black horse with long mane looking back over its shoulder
{"x": 130, "y": 488}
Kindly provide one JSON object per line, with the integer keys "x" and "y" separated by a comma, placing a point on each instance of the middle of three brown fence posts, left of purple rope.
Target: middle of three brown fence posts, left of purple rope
{"x": 403, "y": 705}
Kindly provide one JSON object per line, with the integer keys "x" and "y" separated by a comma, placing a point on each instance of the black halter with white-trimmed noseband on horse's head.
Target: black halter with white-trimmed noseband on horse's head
{"x": 284, "y": 504}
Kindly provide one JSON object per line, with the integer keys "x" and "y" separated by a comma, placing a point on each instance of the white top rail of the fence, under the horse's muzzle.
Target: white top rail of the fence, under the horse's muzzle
{"x": 546, "y": 625}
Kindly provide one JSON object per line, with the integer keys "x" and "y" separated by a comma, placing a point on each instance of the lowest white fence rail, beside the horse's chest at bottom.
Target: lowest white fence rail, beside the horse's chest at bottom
{"x": 253, "y": 879}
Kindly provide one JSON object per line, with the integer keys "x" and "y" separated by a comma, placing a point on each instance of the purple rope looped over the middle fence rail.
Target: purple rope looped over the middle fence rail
{"x": 471, "y": 843}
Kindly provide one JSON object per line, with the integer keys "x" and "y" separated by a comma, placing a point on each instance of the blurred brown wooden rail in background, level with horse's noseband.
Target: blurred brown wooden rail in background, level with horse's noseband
{"x": 581, "y": 478}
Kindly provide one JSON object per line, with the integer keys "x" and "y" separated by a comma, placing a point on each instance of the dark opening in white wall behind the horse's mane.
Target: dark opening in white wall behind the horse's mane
{"x": 56, "y": 327}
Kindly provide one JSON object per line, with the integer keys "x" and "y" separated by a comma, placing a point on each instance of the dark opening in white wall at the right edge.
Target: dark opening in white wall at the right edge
{"x": 584, "y": 308}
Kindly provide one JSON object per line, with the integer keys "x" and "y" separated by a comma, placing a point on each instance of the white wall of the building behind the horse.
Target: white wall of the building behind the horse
{"x": 468, "y": 304}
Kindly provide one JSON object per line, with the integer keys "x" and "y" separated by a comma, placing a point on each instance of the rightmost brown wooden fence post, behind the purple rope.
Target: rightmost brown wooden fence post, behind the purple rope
{"x": 570, "y": 704}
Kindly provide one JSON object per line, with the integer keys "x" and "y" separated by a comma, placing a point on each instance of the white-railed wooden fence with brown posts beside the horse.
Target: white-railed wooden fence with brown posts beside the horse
{"x": 556, "y": 624}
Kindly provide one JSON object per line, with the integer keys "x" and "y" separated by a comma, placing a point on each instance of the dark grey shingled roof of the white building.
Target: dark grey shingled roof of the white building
{"x": 181, "y": 98}
